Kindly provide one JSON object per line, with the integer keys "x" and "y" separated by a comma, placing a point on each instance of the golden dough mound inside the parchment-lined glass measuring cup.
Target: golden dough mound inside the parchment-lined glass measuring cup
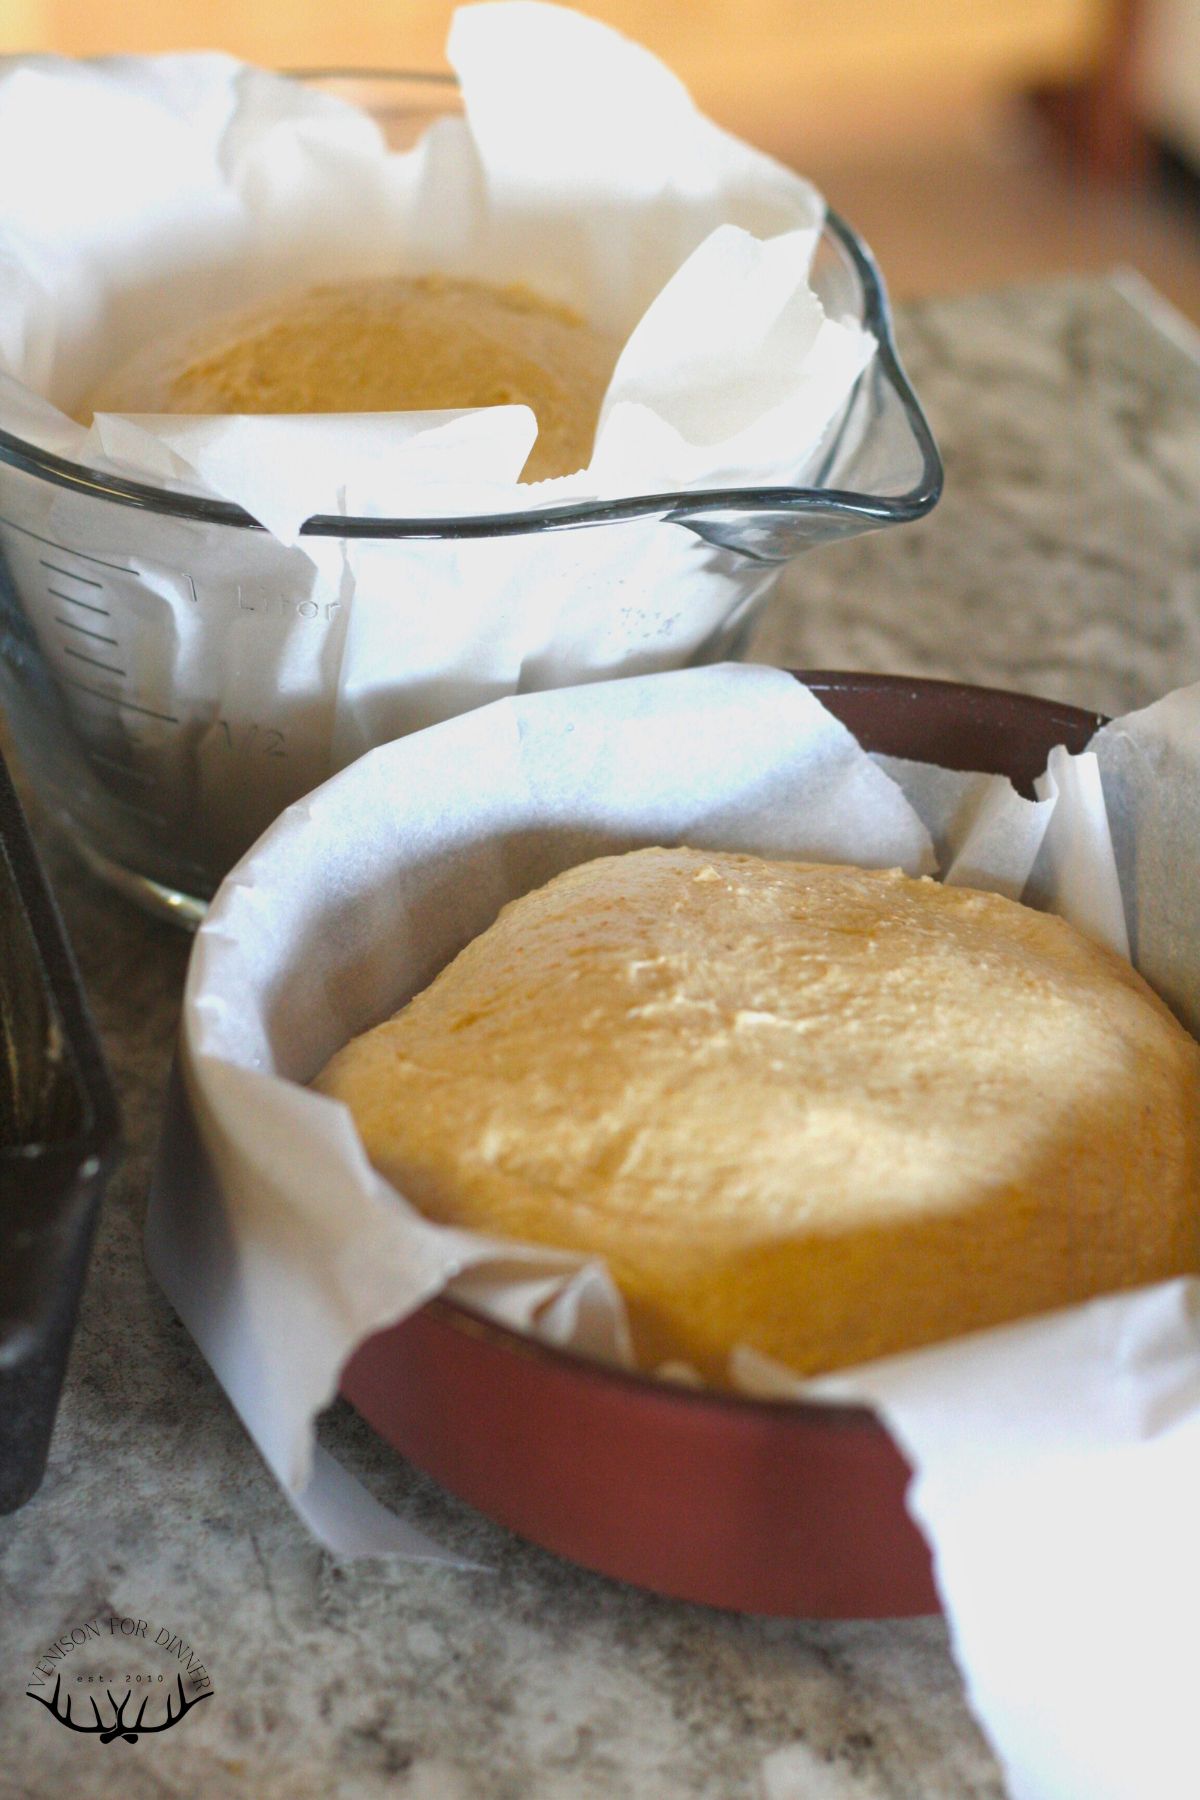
{"x": 393, "y": 345}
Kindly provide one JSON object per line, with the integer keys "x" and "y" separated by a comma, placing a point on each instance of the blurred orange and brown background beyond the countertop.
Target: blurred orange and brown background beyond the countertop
{"x": 971, "y": 141}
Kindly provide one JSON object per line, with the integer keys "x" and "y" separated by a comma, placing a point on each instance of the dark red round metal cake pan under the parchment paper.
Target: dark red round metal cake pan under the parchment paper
{"x": 758, "y": 1506}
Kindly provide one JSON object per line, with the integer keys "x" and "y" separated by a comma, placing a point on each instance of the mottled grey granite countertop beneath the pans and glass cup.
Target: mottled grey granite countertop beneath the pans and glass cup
{"x": 1064, "y": 561}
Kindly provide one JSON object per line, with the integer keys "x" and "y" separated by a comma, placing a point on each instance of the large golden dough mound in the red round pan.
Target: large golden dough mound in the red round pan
{"x": 823, "y": 1111}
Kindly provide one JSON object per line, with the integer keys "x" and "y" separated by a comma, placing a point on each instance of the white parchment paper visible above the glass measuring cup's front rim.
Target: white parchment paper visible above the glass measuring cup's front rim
{"x": 166, "y": 190}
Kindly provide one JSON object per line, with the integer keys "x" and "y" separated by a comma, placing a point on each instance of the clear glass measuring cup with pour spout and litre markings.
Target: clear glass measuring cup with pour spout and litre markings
{"x": 175, "y": 678}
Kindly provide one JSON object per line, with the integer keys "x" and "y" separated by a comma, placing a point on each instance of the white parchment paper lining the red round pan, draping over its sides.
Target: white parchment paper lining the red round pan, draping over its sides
{"x": 1057, "y": 1461}
